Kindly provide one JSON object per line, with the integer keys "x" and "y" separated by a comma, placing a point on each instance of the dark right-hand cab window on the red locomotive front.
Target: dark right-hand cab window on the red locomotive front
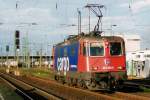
{"x": 115, "y": 48}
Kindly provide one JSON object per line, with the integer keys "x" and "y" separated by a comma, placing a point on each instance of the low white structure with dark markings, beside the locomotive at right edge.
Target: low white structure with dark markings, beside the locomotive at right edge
{"x": 138, "y": 64}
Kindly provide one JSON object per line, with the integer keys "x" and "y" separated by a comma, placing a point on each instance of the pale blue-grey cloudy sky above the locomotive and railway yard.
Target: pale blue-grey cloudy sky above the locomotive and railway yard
{"x": 54, "y": 18}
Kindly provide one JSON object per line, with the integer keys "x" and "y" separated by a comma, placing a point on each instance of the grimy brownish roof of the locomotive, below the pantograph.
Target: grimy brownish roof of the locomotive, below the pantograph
{"x": 82, "y": 37}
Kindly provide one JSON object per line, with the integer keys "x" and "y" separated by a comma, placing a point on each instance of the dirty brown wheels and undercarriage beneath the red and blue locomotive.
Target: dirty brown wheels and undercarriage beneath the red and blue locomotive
{"x": 94, "y": 81}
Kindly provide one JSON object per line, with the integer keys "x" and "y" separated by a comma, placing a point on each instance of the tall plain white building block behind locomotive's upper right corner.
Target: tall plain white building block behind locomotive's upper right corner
{"x": 132, "y": 42}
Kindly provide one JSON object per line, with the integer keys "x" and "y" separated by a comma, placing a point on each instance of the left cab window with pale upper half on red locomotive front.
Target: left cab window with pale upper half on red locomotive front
{"x": 96, "y": 49}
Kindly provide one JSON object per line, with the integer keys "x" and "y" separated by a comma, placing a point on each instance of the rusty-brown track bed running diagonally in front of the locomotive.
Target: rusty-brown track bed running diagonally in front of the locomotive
{"x": 70, "y": 93}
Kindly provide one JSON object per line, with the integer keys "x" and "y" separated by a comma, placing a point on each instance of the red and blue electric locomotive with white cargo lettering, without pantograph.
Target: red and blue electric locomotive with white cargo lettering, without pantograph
{"x": 92, "y": 61}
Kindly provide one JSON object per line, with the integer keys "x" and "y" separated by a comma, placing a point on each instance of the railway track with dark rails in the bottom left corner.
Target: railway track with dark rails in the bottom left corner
{"x": 28, "y": 92}
